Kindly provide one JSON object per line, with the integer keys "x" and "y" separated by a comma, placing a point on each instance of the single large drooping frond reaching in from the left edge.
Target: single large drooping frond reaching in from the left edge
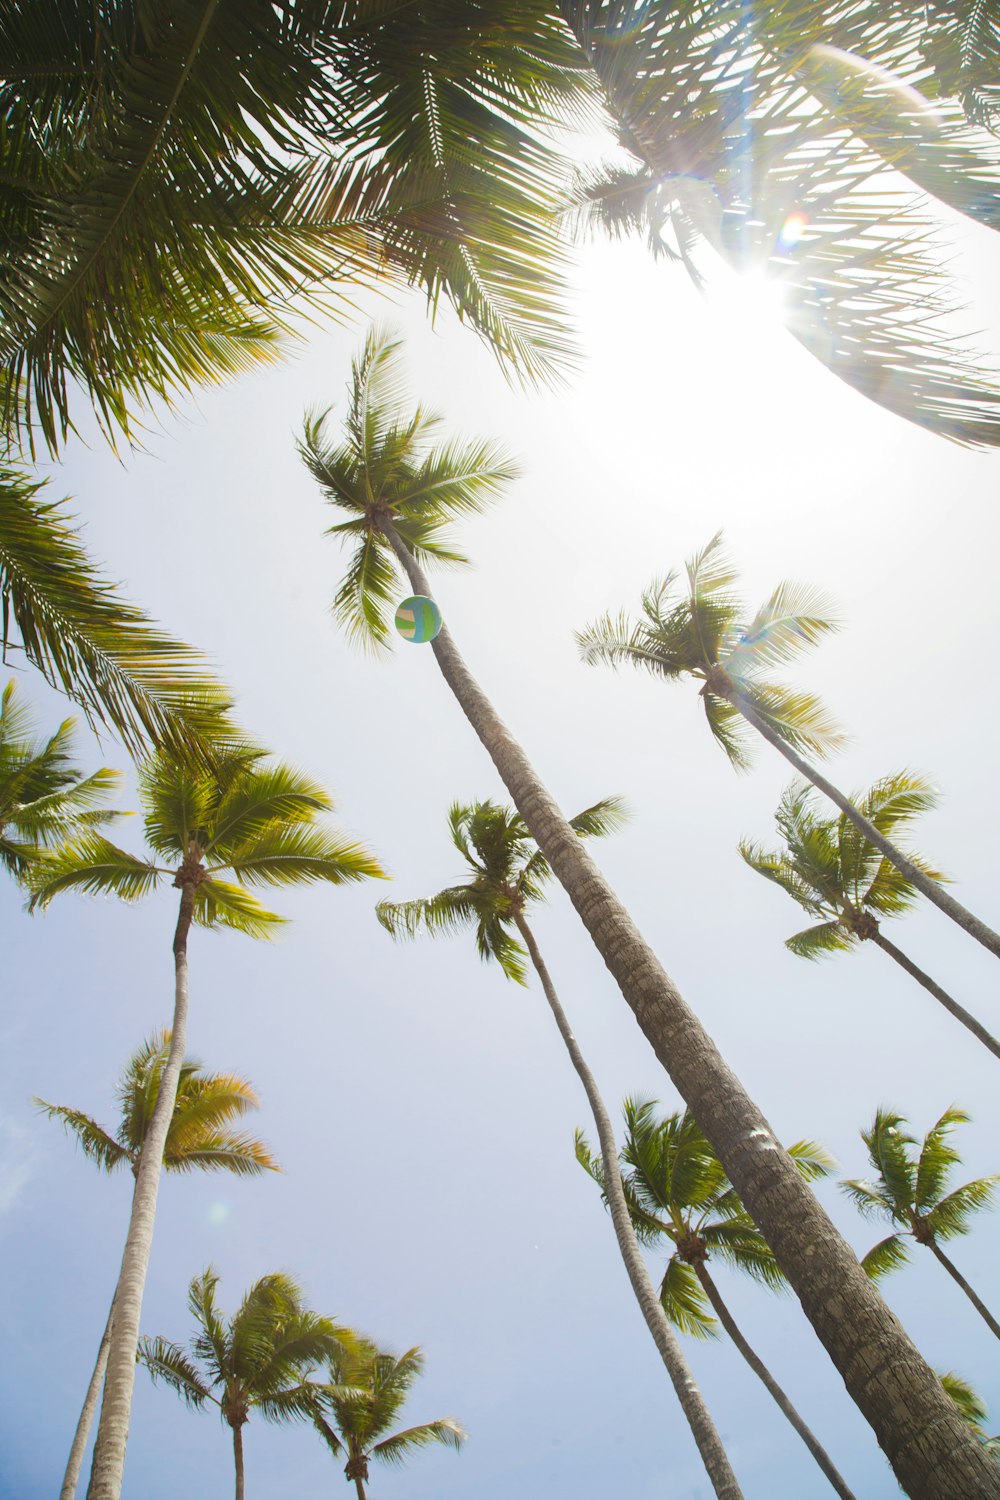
{"x": 88, "y": 641}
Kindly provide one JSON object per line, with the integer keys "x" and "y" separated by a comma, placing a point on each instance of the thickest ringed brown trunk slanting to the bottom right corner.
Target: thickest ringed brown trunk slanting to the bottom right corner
{"x": 932, "y": 1453}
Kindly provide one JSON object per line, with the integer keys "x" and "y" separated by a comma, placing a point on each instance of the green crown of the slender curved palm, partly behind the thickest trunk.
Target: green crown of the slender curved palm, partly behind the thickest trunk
{"x": 507, "y": 874}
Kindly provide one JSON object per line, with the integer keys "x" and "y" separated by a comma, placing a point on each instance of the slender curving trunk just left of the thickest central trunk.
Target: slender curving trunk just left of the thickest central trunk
{"x": 710, "y": 1444}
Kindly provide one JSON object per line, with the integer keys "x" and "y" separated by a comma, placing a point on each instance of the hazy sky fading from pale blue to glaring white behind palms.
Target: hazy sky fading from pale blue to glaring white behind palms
{"x": 422, "y": 1106}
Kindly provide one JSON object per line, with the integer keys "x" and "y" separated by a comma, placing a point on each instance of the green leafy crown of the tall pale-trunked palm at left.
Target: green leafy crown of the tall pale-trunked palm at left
{"x": 245, "y": 815}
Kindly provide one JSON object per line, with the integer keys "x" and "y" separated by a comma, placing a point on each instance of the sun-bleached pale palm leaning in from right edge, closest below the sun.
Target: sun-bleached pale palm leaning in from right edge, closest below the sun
{"x": 705, "y": 637}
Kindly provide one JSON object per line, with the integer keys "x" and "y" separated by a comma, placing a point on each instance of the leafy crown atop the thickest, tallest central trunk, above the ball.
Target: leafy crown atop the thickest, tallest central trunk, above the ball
{"x": 394, "y": 484}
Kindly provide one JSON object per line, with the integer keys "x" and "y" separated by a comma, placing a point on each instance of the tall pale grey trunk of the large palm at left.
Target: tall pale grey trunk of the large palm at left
{"x": 116, "y": 1409}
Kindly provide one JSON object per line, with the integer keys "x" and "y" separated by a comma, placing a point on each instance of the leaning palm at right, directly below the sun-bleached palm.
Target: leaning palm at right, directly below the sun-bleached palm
{"x": 836, "y": 874}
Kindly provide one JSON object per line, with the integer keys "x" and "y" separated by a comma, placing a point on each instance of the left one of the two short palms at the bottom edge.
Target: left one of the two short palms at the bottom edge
{"x": 259, "y": 1361}
